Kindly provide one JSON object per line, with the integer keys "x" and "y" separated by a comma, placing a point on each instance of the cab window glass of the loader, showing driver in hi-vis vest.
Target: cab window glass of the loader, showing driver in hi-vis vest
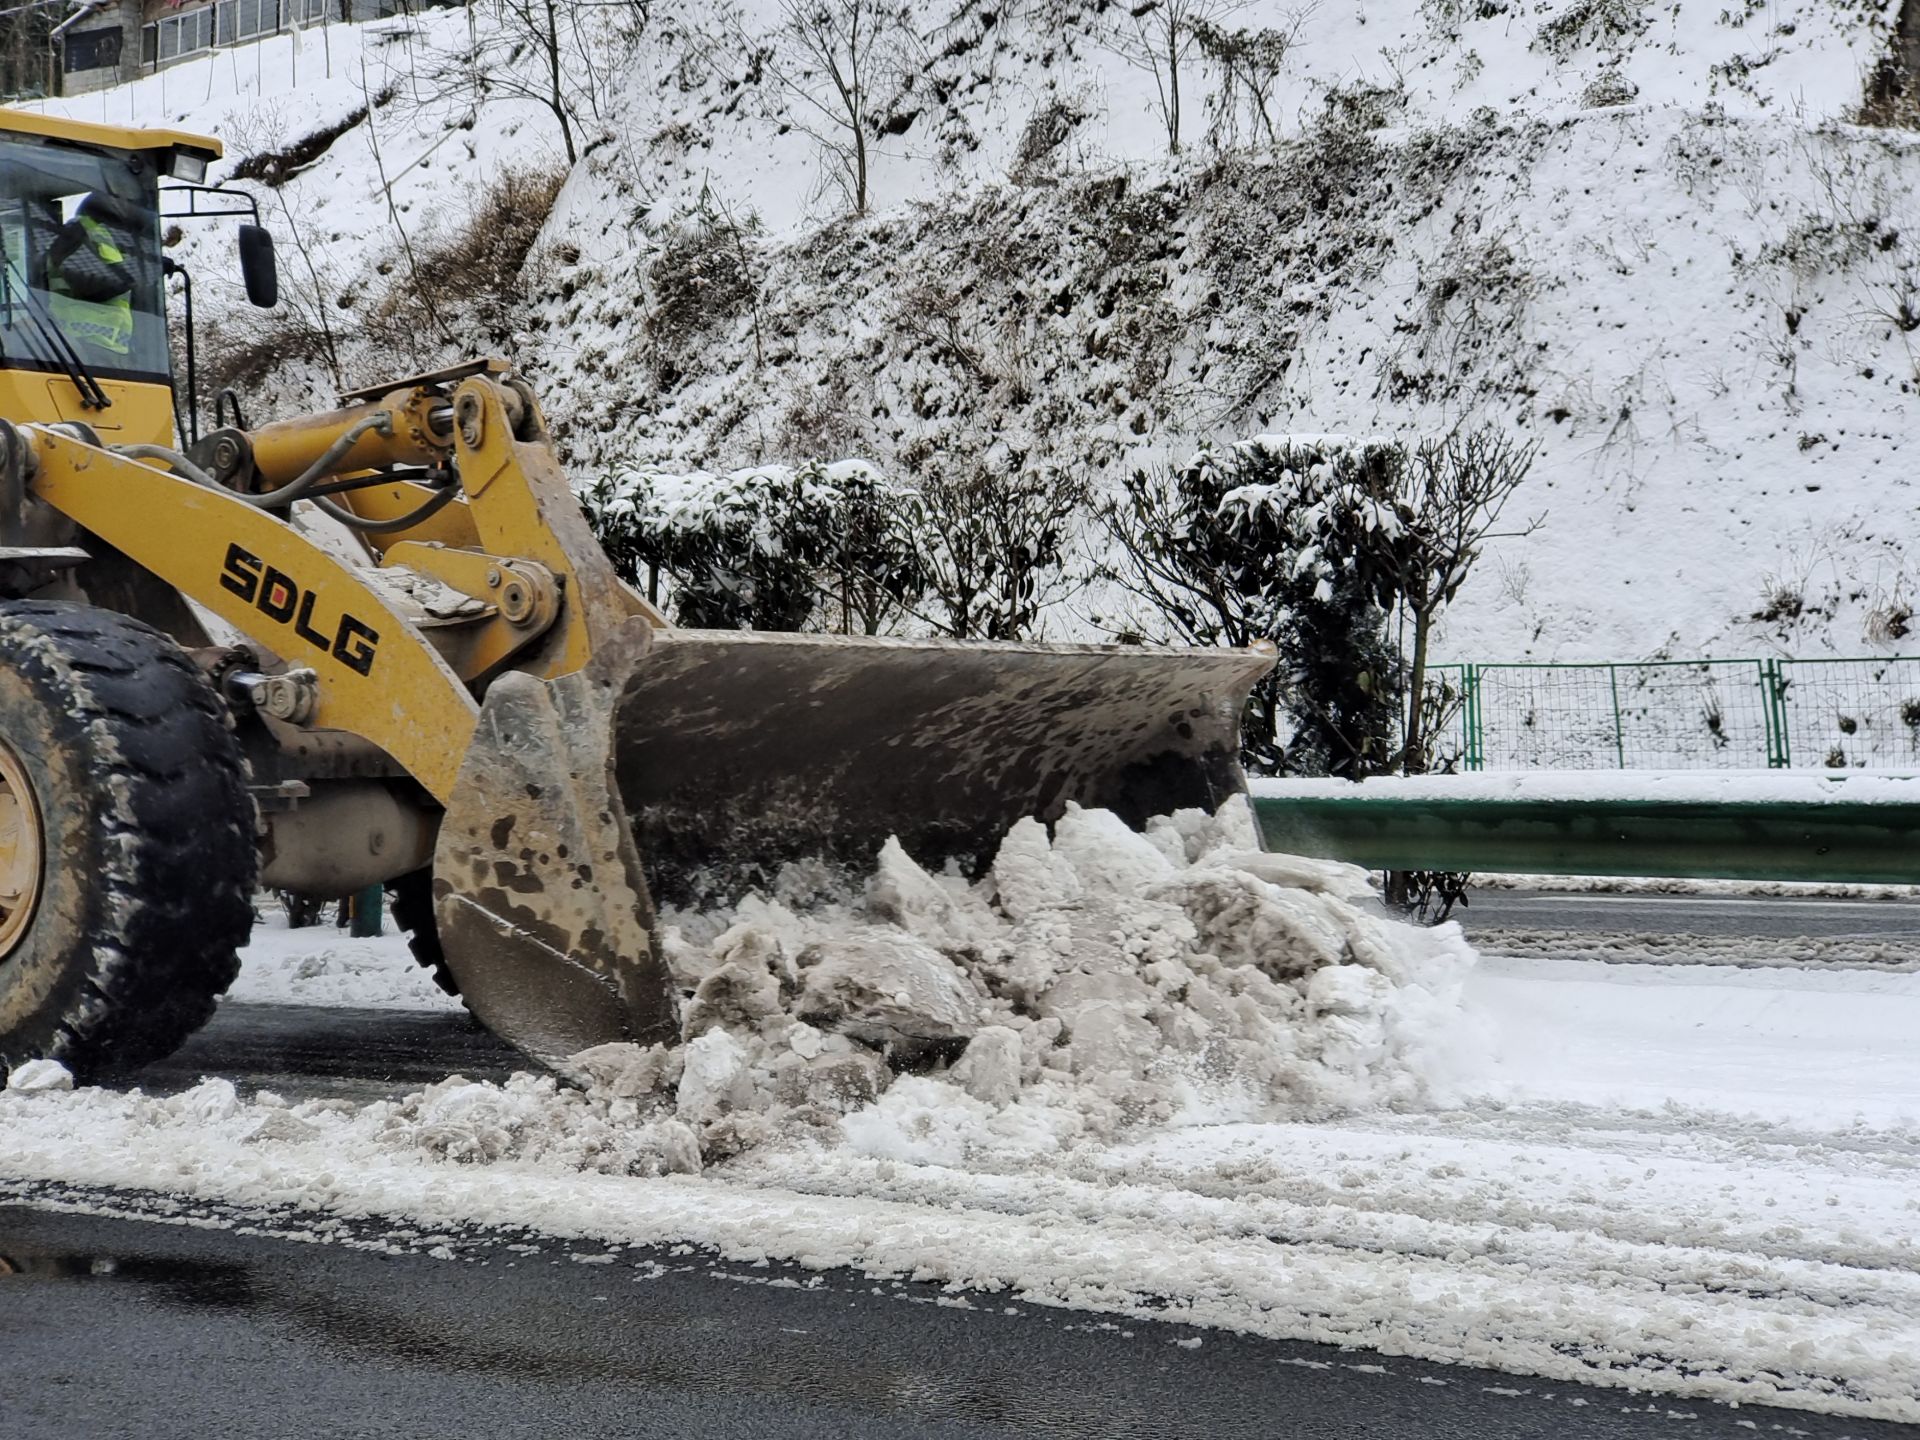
{"x": 82, "y": 277}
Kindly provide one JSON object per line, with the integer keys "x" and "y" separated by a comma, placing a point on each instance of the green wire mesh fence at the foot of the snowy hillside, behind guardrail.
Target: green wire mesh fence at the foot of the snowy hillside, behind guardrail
{"x": 1681, "y": 715}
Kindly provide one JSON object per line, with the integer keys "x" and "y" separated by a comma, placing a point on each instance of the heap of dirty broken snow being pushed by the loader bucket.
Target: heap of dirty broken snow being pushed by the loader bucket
{"x": 1095, "y": 984}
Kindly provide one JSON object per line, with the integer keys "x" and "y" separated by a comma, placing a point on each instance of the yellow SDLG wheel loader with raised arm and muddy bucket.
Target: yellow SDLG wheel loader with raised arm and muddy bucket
{"x": 381, "y": 646}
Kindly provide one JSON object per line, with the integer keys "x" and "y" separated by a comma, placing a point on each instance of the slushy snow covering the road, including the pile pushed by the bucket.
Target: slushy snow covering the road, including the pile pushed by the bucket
{"x": 1650, "y": 1176}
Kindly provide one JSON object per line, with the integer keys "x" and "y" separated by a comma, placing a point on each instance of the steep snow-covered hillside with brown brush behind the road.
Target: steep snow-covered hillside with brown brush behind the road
{"x": 1646, "y": 237}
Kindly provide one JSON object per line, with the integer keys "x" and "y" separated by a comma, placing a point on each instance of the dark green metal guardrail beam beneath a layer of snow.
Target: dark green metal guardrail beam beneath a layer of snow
{"x": 1681, "y": 840}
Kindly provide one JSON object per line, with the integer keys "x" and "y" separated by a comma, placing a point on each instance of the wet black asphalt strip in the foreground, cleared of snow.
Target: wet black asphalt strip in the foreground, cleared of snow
{"x": 114, "y": 1328}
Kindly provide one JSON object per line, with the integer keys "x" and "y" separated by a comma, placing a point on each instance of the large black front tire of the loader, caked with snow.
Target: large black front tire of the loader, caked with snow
{"x": 128, "y": 855}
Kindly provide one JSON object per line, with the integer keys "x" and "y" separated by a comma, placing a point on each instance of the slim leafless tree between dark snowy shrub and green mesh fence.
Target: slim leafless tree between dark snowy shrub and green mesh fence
{"x": 1452, "y": 498}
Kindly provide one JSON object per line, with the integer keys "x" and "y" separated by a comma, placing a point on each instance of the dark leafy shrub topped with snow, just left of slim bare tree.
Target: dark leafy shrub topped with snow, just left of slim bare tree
{"x": 1272, "y": 540}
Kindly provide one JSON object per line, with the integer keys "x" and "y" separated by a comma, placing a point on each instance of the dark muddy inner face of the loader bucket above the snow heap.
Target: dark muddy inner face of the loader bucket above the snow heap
{"x": 742, "y": 752}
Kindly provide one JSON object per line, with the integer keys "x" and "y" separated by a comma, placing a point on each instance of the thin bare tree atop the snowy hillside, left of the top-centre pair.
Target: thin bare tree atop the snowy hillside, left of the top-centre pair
{"x": 827, "y": 60}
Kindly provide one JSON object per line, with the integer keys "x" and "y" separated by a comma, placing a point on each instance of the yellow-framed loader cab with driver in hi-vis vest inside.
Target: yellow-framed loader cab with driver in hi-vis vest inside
{"x": 84, "y": 283}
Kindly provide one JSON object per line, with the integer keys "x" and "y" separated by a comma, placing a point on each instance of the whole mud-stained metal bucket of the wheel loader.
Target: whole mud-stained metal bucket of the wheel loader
{"x": 734, "y": 754}
